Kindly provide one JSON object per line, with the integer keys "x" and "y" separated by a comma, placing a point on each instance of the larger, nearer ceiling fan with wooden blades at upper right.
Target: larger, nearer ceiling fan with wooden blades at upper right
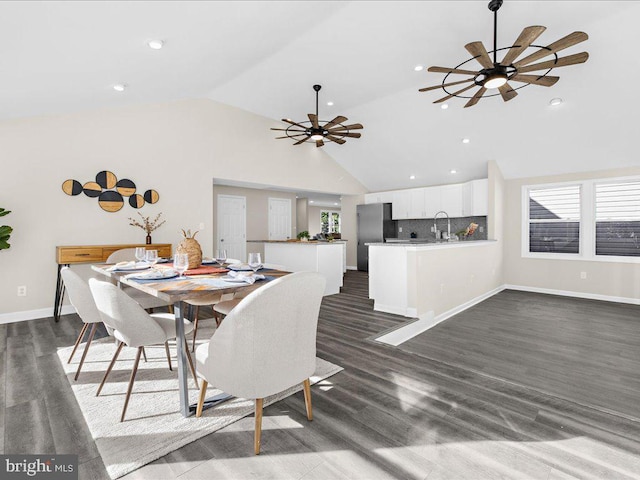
{"x": 497, "y": 75}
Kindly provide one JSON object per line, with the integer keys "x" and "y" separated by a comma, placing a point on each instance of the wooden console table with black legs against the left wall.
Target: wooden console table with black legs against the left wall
{"x": 70, "y": 255}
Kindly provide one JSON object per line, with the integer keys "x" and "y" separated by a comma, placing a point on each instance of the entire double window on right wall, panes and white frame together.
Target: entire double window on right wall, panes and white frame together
{"x": 595, "y": 220}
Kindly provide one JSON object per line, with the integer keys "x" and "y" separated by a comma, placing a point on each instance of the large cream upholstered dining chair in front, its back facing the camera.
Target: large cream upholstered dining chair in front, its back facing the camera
{"x": 266, "y": 344}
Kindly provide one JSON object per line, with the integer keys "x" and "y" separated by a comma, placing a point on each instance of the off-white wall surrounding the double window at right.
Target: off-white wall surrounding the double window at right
{"x": 603, "y": 278}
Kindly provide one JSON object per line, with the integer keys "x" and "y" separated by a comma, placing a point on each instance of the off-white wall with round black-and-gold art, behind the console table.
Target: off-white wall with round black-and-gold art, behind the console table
{"x": 176, "y": 148}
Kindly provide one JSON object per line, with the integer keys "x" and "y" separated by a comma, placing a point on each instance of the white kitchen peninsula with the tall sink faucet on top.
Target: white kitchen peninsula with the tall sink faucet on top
{"x": 432, "y": 281}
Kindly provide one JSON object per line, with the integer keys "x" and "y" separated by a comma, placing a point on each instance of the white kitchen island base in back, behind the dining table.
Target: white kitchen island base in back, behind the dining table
{"x": 327, "y": 258}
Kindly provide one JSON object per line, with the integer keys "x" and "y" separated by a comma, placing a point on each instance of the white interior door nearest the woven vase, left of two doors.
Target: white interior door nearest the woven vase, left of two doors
{"x": 232, "y": 226}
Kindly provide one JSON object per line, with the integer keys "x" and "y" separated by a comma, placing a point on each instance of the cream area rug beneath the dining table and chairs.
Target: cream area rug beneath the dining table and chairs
{"x": 153, "y": 425}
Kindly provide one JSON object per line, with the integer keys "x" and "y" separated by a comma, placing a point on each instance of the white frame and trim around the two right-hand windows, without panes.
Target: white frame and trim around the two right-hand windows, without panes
{"x": 587, "y": 222}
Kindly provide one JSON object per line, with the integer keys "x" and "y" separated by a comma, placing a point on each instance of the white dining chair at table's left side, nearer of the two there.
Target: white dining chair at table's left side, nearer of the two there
{"x": 134, "y": 327}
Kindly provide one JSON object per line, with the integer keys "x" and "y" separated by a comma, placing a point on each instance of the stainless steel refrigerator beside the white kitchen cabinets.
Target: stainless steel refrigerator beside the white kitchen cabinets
{"x": 374, "y": 225}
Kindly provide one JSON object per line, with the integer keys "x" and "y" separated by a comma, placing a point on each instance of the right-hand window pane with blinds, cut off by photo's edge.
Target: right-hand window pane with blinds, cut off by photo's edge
{"x": 618, "y": 219}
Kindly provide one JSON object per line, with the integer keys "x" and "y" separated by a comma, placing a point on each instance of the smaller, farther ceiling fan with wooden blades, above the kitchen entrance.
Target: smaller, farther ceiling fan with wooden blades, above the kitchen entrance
{"x": 312, "y": 131}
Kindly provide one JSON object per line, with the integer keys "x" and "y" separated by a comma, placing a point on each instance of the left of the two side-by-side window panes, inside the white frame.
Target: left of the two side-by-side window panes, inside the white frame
{"x": 554, "y": 220}
